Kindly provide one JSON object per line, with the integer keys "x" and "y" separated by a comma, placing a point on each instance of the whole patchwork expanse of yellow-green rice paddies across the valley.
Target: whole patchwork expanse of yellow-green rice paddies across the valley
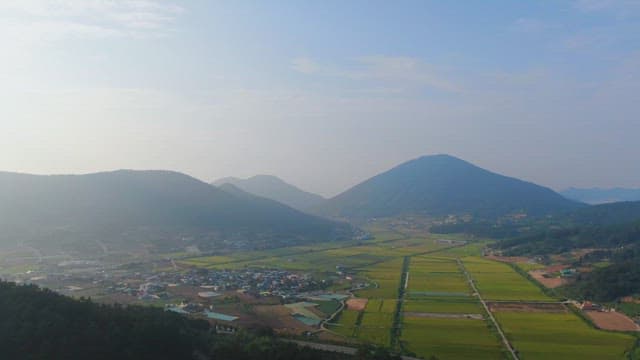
{"x": 438, "y": 296}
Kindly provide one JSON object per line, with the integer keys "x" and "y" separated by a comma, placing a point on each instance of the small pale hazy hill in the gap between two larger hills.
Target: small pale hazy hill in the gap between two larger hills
{"x": 274, "y": 188}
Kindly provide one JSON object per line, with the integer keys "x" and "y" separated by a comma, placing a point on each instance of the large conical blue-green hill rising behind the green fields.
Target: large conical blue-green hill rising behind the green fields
{"x": 441, "y": 185}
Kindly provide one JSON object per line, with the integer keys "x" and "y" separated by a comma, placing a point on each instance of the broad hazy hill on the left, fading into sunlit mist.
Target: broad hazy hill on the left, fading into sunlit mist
{"x": 159, "y": 208}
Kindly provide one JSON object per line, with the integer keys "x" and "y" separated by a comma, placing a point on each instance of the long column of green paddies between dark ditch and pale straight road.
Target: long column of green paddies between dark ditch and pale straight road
{"x": 434, "y": 323}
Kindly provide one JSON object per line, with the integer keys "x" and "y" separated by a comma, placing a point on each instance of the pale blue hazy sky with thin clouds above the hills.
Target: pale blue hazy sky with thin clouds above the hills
{"x": 322, "y": 93}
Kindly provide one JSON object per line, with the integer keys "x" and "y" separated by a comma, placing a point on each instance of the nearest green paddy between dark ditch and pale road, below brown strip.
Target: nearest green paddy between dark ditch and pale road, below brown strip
{"x": 450, "y": 339}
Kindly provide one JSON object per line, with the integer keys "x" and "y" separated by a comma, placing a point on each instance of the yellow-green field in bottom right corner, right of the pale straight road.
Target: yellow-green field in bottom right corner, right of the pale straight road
{"x": 561, "y": 336}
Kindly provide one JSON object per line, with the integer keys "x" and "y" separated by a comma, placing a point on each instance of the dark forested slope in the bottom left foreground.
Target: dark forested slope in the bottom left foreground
{"x": 41, "y": 324}
